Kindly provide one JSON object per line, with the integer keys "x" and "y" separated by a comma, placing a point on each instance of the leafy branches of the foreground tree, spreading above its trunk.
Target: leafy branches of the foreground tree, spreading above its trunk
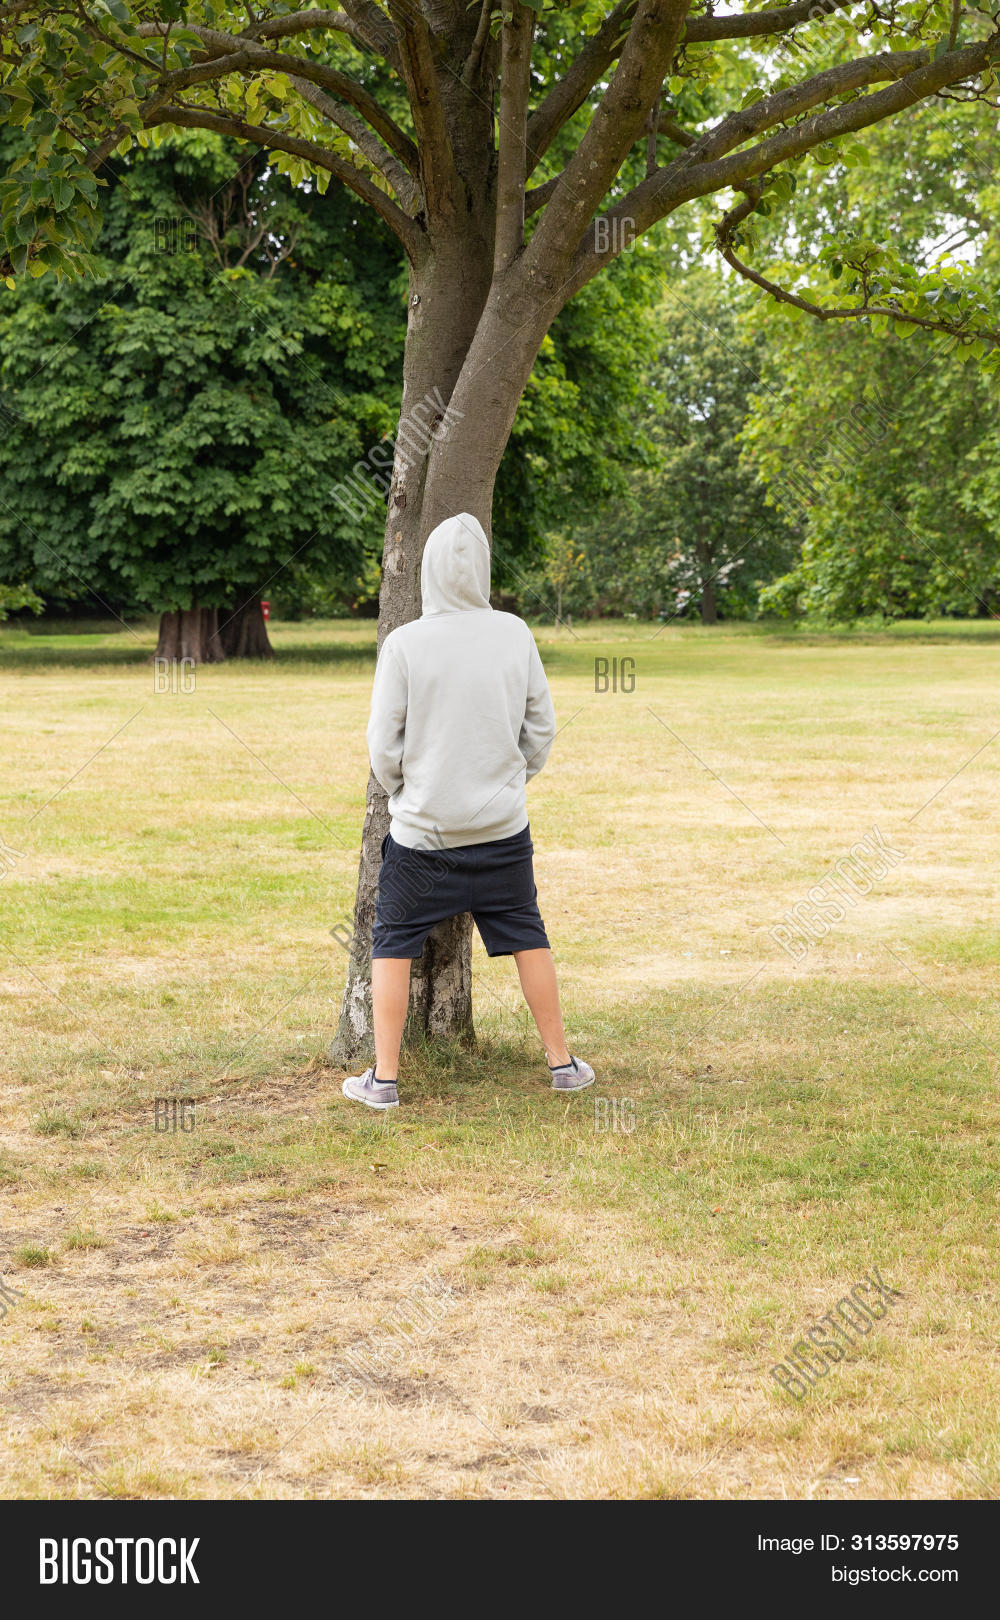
{"x": 622, "y": 114}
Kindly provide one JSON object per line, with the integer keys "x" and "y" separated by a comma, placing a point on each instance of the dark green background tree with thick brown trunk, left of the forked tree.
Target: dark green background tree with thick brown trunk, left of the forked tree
{"x": 182, "y": 414}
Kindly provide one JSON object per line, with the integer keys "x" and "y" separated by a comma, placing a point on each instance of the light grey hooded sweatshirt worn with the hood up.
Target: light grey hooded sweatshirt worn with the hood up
{"x": 461, "y": 710}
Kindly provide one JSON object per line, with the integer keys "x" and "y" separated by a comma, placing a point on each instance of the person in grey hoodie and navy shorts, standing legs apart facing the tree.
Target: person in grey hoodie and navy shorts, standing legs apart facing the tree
{"x": 461, "y": 720}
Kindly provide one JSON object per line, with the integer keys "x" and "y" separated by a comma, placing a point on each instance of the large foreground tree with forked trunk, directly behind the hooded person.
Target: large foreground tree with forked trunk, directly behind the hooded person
{"x": 515, "y": 153}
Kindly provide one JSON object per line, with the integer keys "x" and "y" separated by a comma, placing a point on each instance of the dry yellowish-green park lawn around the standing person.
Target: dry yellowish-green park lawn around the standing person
{"x": 613, "y": 1276}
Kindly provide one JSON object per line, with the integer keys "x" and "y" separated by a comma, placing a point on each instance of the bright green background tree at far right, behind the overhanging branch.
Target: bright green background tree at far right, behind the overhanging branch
{"x": 886, "y": 458}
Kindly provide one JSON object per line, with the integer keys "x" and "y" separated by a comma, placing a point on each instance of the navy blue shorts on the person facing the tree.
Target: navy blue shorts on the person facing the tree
{"x": 424, "y": 887}
